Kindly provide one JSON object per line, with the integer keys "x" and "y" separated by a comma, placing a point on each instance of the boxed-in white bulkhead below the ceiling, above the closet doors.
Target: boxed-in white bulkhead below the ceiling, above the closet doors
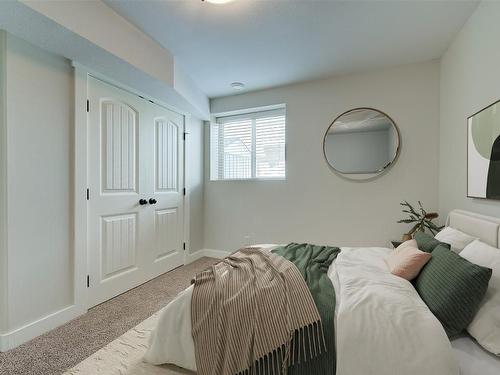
{"x": 92, "y": 34}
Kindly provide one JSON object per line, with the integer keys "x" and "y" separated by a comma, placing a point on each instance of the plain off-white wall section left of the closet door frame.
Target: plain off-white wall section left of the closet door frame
{"x": 39, "y": 106}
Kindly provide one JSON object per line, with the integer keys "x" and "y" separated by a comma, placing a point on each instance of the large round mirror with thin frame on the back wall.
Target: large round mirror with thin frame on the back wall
{"x": 361, "y": 143}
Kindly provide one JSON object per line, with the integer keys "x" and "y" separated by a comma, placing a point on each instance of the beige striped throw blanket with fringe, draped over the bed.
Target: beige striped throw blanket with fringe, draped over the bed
{"x": 251, "y": 313}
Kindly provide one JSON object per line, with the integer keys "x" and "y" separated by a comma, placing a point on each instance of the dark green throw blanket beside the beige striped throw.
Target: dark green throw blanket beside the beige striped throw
{"x": 313, "y": 262}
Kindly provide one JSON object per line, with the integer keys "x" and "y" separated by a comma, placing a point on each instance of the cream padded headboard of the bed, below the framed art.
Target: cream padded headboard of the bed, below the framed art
{"x": 486, "y": 228}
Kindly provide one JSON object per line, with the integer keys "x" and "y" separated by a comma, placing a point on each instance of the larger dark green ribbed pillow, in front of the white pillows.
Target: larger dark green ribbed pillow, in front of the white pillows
{"x": 452, "y": 287}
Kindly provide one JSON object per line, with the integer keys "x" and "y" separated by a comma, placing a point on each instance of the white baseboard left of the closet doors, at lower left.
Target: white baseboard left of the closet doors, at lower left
{"x": 19, "y": 336}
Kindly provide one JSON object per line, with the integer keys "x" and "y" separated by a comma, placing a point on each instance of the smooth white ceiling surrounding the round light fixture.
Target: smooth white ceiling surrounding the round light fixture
{"x": 272, "y": 43}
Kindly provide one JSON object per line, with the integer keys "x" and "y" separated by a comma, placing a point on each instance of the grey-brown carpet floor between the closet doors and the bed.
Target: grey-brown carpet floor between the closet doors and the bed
{"x": 56, "y": 351}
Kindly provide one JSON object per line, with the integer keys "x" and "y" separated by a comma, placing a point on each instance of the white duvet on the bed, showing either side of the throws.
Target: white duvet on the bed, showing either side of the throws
{"x": 382, "y": 325}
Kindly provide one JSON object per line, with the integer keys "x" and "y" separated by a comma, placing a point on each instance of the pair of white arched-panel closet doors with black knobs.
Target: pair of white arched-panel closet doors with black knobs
{"x": 135, "y": 211}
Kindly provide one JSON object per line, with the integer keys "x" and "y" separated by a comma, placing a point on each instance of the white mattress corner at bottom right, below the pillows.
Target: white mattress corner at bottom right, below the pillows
{"x": 473, "y": 359}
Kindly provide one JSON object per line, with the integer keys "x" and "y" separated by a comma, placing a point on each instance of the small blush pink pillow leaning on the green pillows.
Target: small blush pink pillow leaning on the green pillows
{"x": 406, "y": 260}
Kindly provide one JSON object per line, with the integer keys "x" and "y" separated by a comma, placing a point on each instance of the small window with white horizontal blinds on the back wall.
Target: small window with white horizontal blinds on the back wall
{"x": 247, "y": 146}
